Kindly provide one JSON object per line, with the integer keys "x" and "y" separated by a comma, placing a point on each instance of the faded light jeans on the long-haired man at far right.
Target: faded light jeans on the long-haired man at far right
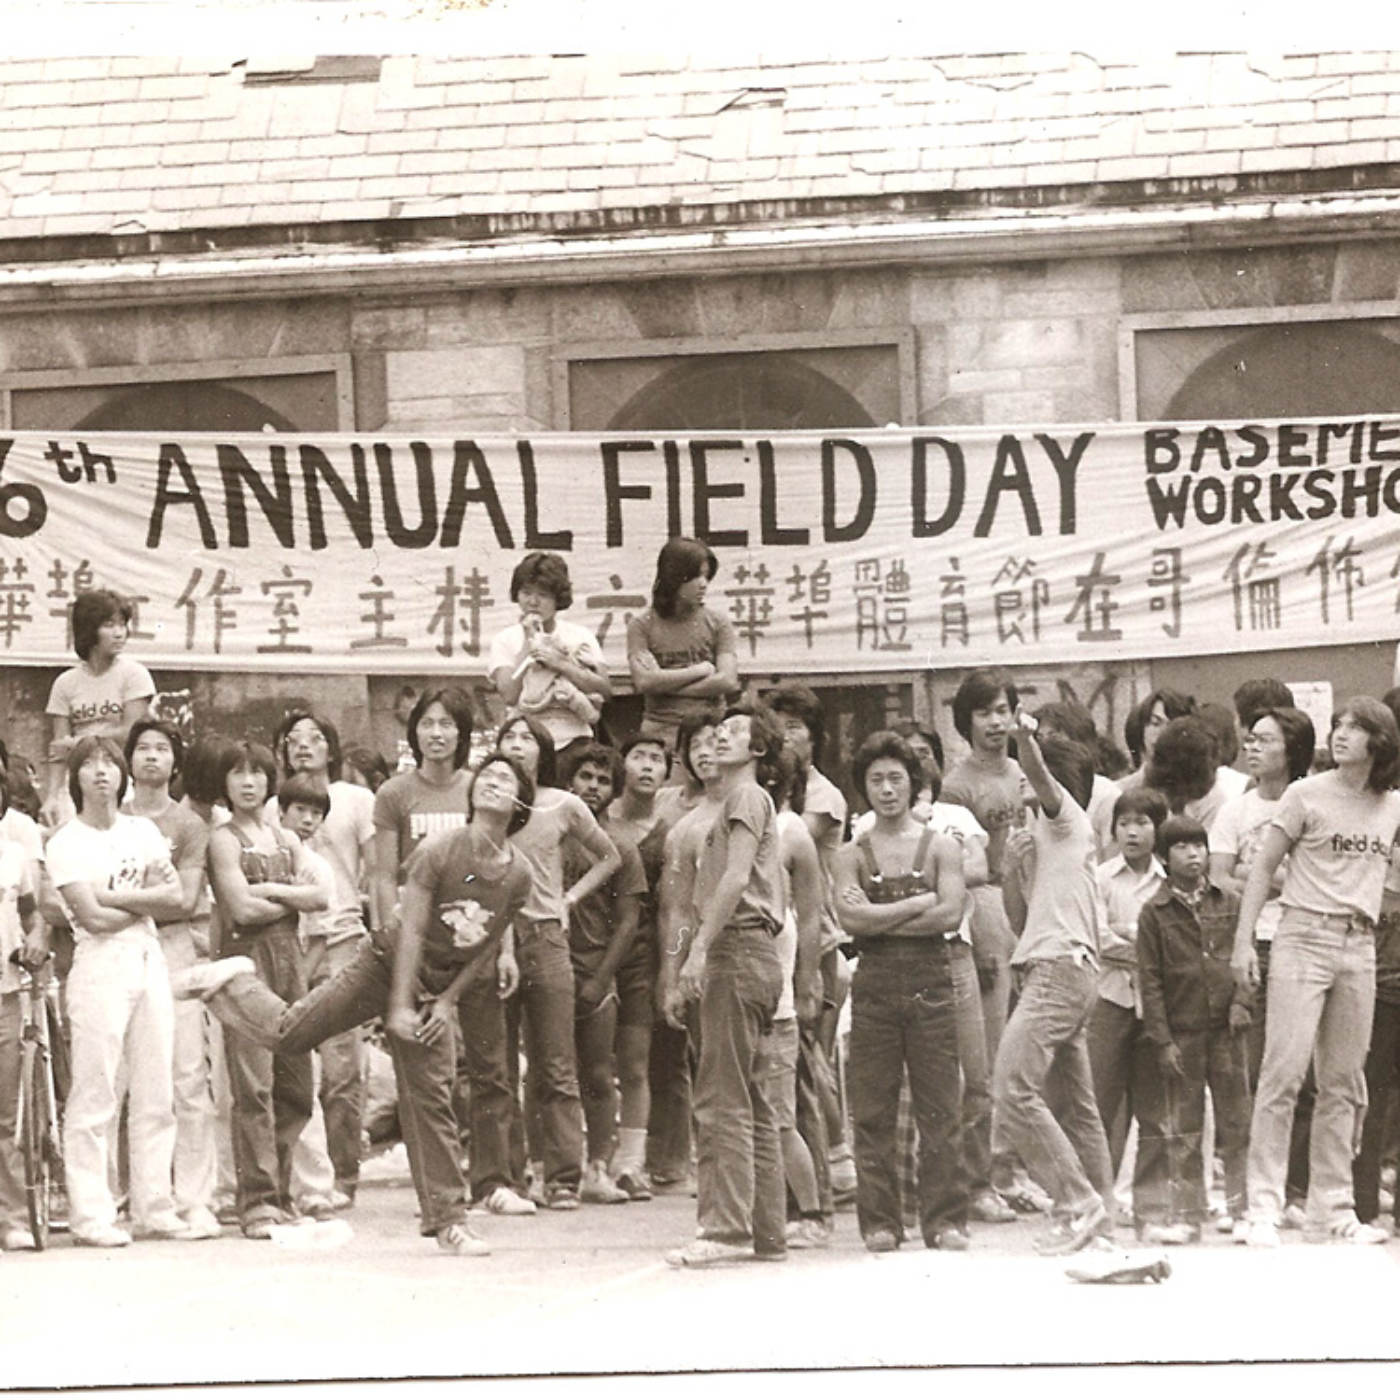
{"x": 1322, "y": 992}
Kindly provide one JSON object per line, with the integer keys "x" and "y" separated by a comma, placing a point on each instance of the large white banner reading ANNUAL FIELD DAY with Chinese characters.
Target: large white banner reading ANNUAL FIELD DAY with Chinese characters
{"x": 883, "y": 551}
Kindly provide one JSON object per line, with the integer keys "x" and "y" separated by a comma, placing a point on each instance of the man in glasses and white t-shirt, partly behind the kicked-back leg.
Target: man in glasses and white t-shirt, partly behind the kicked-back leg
{"x": 310, "y": 744}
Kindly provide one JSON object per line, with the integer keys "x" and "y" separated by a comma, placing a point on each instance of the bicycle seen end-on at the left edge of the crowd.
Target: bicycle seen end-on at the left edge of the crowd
{"x": 37, "y": 1116}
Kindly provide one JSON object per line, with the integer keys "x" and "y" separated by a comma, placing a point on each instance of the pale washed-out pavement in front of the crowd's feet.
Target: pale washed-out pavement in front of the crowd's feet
{"x": 589, "y": 1293}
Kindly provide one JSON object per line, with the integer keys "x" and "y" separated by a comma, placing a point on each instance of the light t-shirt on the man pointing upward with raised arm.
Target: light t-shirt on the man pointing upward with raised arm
{"x": 1063, "y": 905}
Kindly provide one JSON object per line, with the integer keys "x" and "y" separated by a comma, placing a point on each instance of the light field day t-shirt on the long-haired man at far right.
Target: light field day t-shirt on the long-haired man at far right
{"x": 1340, "y": 846}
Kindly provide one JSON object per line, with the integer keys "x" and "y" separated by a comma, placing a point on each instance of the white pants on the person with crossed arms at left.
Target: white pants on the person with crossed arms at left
{"x": 120, "y": 1003}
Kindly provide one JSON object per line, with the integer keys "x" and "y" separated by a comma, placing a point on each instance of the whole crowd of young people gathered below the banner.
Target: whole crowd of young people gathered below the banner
{"x": 1072, "y": 978}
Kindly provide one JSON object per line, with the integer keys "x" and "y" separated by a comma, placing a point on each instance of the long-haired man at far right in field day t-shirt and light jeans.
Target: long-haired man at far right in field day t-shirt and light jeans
{"x": 1338, "y": 831}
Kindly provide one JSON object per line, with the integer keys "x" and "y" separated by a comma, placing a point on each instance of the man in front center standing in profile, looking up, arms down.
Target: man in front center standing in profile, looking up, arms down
{"x": 731, "y": 968}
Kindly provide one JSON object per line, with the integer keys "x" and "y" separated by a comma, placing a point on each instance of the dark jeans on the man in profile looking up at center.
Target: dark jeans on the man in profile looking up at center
{"x": 741, "y": 1189}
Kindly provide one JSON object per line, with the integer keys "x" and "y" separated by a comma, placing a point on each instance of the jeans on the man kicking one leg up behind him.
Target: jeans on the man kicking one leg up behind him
{"x": 423, "y": 1073}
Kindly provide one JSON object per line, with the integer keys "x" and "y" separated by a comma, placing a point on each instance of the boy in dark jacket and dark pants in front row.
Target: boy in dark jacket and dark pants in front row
{"x": 1196, "y": 1018}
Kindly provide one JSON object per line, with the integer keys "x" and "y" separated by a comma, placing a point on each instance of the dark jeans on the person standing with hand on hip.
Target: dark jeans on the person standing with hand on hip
{"x": 545, "y": 1004}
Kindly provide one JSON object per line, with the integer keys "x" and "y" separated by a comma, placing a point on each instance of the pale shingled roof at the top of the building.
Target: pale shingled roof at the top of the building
{"x": 100, "y": 146}
